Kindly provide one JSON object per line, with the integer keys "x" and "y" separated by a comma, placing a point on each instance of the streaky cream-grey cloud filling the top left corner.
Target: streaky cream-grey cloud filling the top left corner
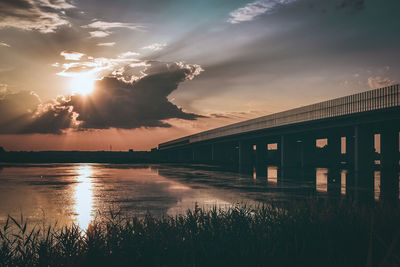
{"x": 44, "y": 16}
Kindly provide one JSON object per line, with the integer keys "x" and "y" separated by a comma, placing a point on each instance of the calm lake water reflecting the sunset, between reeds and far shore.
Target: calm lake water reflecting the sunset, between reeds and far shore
{"x": 66, "y": 193}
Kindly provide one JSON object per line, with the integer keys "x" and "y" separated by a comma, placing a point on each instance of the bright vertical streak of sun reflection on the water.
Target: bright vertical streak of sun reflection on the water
{"x": 84, "y": 196}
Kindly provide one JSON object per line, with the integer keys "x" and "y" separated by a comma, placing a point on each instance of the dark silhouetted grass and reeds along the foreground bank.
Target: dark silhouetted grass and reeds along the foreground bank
{"x": 306, "y": 233}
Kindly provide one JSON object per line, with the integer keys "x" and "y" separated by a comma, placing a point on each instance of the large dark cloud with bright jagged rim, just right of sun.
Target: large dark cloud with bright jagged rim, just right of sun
{"x": 141, "y": 103}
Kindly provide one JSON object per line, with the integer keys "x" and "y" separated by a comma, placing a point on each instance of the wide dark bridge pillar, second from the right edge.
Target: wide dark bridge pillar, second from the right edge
{"x": 363, "y": 148}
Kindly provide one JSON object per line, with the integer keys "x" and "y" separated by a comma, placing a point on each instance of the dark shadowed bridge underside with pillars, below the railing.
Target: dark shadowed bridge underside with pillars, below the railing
{"x": 357, "y": 140}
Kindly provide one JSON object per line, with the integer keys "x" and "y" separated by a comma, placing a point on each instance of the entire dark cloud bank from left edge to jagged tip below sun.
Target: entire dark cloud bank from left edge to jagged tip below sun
{"x": 113, "y": 104}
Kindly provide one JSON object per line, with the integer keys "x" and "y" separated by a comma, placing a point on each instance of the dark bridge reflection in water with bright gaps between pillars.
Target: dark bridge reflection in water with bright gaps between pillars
{"x": 374, "y": 184}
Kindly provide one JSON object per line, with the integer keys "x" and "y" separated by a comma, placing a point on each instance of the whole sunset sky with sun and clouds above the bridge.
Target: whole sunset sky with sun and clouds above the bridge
{"x": 90, "y": 74}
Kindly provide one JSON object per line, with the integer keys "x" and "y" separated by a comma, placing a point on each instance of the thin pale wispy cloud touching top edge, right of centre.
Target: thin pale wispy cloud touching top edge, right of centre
{"x": 254, "y": 9}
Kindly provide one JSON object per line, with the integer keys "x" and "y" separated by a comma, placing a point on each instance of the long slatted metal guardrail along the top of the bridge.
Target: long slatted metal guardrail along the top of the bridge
{"x": 376, "y": 99}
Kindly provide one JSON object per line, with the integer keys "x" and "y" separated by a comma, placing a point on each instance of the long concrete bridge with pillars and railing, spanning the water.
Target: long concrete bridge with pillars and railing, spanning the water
{"x": 358, "y": 130}
